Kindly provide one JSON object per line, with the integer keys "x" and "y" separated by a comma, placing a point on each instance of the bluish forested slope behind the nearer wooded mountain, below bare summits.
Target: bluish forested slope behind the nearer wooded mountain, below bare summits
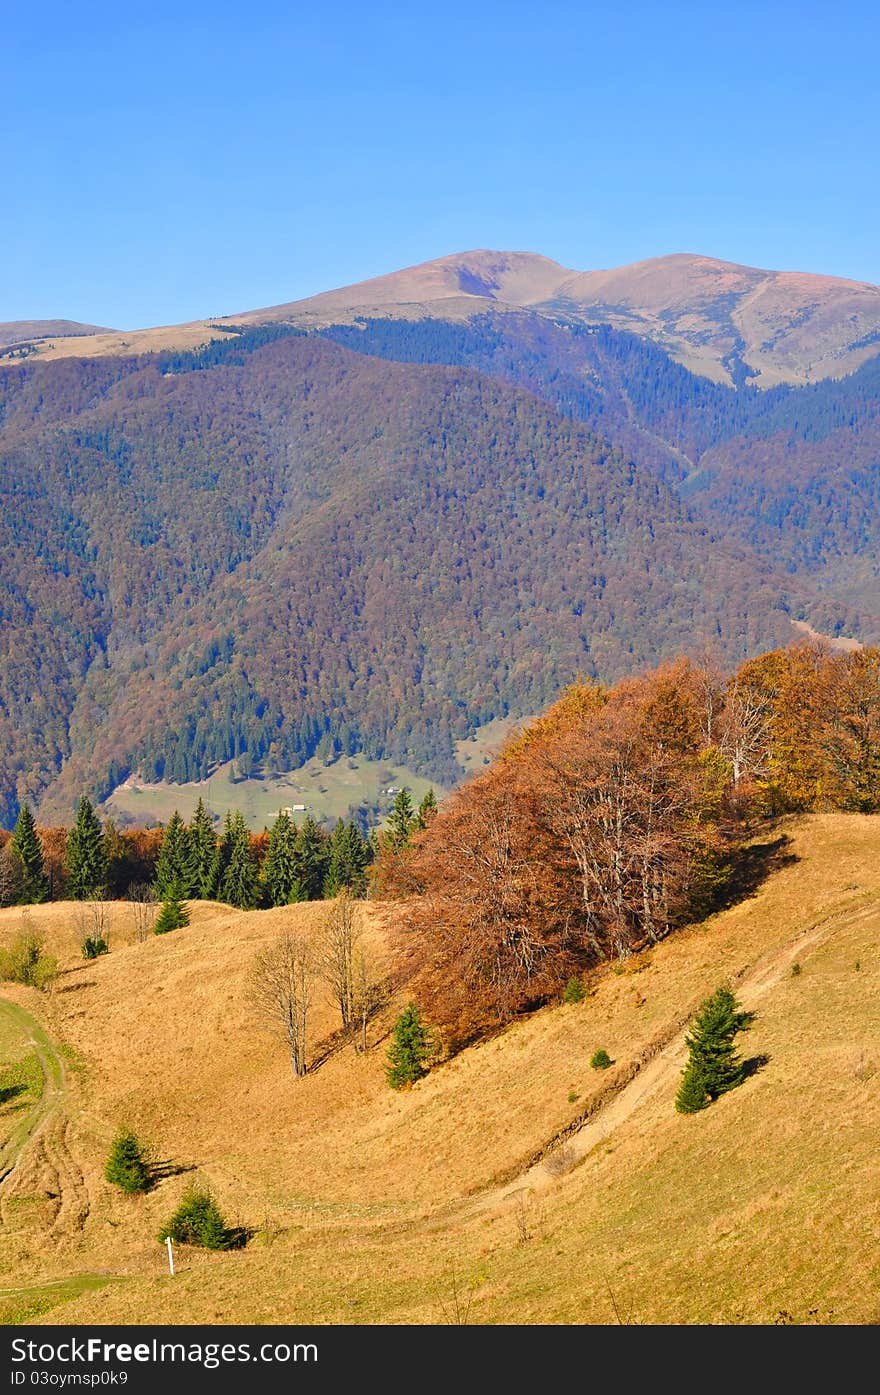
{"x": 793, "y": 472}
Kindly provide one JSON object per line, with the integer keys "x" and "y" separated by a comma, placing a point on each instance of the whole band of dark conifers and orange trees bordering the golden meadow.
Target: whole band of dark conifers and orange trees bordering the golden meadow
{"x": 606, "y": 824}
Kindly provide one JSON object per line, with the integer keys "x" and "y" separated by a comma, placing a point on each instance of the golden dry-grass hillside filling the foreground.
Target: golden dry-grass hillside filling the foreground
{"x": 374, "y": 1207}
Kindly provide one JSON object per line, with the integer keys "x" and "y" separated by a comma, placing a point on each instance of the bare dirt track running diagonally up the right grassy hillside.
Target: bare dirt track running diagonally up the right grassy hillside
{"x": 662, "y": 1072}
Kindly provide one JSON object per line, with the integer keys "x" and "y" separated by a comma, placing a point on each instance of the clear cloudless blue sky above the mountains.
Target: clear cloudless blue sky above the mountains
{"x": 165, "y": 163}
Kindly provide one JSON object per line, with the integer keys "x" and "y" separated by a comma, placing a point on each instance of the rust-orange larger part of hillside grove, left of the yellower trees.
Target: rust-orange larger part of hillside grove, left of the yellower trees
{"x": 596, "y": 832}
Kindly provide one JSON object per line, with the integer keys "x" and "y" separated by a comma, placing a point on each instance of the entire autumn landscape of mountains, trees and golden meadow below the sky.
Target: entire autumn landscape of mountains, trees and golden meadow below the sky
{"x": 301, "y": 561}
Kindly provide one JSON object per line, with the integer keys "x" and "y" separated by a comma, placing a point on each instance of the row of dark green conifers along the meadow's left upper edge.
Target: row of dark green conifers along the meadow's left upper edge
{"x": 189, "y": 861}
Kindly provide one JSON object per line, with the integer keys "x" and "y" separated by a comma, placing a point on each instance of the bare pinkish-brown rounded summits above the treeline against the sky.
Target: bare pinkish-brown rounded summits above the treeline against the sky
{"x": 726, "y": 322}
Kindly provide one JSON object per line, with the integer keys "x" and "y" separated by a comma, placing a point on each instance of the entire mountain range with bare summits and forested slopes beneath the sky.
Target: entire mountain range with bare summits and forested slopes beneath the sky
{"x": 379, "y": 518}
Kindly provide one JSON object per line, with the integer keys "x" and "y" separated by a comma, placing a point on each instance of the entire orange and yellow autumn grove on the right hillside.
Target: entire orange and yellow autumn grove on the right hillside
{"x": 617, "y": 817}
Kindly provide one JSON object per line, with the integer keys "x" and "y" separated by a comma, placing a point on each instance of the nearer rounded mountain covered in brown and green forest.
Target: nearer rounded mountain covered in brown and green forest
{"x": 278, "y": 545}
